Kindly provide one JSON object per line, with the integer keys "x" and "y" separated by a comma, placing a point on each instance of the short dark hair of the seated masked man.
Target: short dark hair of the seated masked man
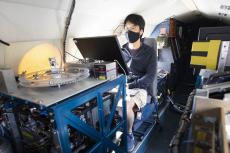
{"x": 136, "y": 19}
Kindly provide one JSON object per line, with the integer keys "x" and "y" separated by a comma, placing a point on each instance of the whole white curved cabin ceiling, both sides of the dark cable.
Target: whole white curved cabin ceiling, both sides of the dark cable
{"x": 22, "y": 20}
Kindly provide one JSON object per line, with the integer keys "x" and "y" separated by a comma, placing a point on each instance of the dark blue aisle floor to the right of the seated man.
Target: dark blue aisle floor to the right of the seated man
{"x": 169, "y": 121}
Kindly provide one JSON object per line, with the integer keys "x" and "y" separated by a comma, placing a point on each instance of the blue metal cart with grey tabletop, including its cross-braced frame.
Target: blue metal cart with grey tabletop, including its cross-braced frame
{"x": 60, "y": 102}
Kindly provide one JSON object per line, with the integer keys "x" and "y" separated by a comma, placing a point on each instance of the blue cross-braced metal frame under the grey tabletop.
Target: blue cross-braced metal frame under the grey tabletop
{"x": 63, "y": 117}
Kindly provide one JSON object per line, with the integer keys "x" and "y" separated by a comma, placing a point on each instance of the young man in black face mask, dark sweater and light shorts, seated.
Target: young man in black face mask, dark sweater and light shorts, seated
{"x": 142, "y": 63}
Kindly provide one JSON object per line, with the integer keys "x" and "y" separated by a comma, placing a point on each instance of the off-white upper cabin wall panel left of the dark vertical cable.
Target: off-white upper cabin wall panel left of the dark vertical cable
{"x": 27, "y": 22}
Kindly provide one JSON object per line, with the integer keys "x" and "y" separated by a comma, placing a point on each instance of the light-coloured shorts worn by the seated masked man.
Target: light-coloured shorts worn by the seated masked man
{"x": 138, "y": 96}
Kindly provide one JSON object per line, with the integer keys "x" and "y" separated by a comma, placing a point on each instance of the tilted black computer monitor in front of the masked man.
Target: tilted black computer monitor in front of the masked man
{"x": 105, "y": 48}
